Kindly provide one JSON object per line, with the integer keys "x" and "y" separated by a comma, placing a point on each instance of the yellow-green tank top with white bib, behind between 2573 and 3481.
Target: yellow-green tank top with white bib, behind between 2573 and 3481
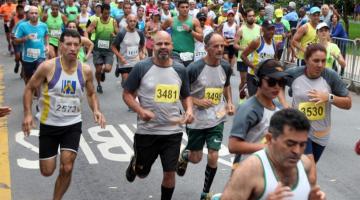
{"x": 104, "y": 36}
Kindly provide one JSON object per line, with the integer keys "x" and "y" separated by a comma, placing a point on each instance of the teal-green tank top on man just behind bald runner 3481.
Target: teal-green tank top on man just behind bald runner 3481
{"x": 180, "y": 37}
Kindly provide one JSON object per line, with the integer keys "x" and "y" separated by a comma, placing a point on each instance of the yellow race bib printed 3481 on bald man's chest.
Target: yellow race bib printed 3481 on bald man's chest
{"x": 166, "y": 93}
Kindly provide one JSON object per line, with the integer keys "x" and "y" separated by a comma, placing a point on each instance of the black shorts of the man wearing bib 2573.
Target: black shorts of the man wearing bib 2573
{"x": 68, "y": 137}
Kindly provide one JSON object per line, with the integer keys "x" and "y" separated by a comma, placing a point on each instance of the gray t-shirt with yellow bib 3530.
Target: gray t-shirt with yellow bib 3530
{"x": 319, "y": 115}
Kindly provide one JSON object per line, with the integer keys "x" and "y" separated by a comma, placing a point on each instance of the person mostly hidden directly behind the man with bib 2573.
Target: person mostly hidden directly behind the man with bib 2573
{"x": 86, "y": 44}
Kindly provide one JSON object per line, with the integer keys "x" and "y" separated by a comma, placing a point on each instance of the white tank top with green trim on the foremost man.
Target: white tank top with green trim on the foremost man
{"x": 300, "y": 191}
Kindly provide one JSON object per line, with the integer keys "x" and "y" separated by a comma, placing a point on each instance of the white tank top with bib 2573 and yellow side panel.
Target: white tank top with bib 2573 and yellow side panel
{"x": 60, "y": 100}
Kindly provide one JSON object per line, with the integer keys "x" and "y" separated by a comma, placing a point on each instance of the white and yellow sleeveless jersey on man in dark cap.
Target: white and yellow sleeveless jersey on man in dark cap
{"x": 263, "y": 52}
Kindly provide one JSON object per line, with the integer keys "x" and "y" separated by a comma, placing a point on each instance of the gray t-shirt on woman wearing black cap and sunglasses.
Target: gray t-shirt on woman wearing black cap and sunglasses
{"x": 251, "y": 122}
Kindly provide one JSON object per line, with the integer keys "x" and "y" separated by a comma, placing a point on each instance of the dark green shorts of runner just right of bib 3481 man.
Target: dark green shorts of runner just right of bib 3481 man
{"x": 212, "y": 136}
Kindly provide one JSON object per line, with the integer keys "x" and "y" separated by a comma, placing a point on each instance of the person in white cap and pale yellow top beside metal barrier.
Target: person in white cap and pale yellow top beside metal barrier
{"x": 332, "y": 50}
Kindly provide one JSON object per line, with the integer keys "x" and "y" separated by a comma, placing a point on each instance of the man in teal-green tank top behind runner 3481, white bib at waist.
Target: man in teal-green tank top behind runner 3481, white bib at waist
{"x": 184, "y": 30}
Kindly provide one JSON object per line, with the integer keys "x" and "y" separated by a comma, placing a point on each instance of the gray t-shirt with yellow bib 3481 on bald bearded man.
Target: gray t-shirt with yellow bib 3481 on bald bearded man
{"x": 159, "y": 89}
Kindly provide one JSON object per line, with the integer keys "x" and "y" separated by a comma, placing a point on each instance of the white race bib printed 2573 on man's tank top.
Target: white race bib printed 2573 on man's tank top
{"x": 67, "y": 106}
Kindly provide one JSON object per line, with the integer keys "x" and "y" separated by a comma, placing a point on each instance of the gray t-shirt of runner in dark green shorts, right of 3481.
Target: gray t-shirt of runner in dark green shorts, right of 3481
{"x": 209, "y": 82}
